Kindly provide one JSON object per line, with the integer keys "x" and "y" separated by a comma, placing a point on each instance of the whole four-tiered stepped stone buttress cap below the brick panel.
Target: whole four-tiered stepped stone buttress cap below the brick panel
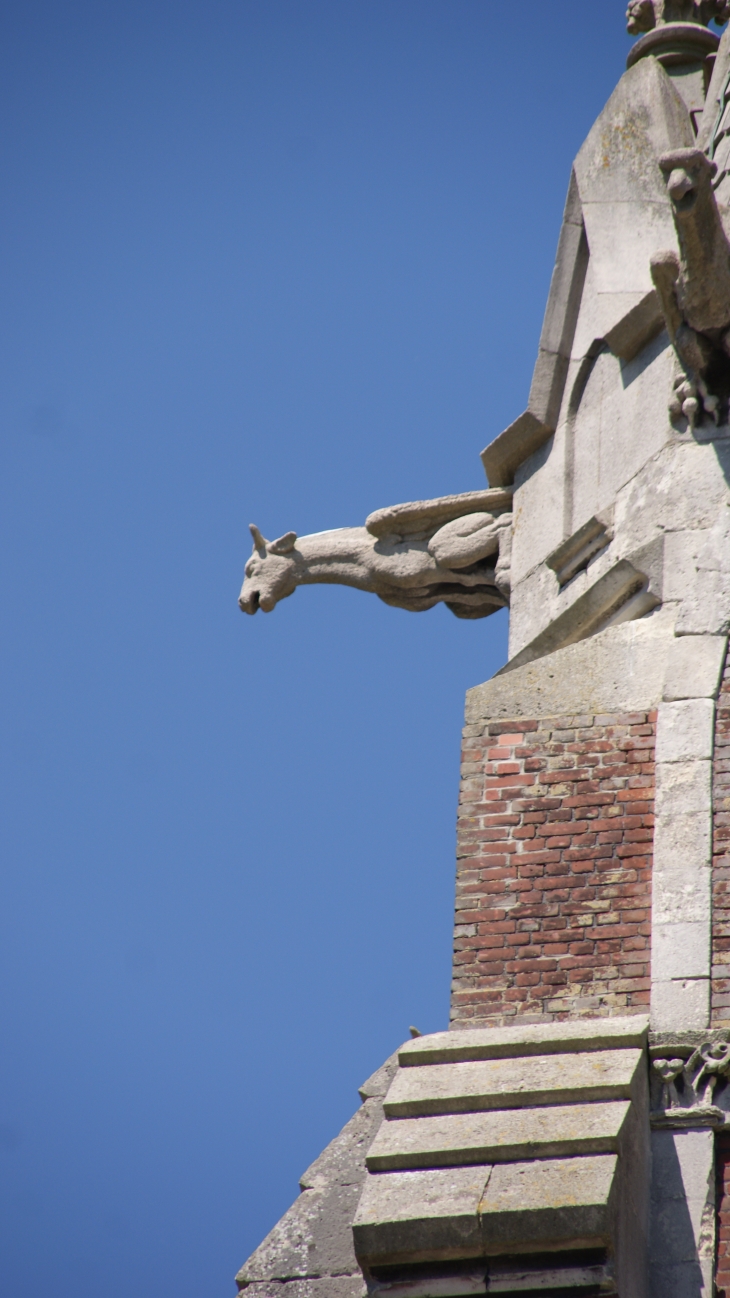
{"x": 423, "y": 1204}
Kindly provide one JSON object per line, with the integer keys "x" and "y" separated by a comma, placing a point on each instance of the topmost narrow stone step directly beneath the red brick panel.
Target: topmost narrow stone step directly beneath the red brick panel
{"x": 535, "y": 1039}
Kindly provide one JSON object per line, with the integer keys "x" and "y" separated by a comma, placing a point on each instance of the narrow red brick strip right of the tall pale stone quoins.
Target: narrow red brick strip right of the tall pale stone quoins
{"x": 722, "y": 859}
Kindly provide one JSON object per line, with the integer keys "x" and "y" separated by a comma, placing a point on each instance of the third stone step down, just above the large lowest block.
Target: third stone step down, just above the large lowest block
{"x": 510, "y": 1135}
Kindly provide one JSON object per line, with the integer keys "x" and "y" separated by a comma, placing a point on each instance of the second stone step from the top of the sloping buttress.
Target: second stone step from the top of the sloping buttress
{"x": 459, "y": 1088}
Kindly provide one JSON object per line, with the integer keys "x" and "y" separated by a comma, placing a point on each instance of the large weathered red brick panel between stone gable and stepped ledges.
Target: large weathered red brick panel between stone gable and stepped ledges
{"x": 554, "y": 869}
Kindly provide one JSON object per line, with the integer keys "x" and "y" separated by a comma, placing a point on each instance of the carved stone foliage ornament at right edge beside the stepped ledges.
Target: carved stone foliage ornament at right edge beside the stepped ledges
{"x": 690, "y": 1087}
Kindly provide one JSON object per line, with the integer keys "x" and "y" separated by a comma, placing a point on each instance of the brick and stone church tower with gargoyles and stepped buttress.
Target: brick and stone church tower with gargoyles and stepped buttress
{"x": 570, "y": 1135}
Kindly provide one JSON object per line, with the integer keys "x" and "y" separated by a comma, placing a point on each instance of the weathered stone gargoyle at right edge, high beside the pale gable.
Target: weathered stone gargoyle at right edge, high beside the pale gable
{"x": 694, "y": 289}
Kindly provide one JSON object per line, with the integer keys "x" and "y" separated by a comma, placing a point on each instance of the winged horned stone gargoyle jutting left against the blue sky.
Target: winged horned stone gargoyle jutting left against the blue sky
{"x": 451, "y": 551}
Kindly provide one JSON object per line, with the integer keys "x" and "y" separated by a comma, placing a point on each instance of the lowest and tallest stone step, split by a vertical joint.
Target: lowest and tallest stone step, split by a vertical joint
{"x": 467, "y": 1212}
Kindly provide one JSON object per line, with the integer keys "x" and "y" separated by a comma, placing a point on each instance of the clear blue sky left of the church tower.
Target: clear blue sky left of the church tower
{"x": 275, "y": 262}
